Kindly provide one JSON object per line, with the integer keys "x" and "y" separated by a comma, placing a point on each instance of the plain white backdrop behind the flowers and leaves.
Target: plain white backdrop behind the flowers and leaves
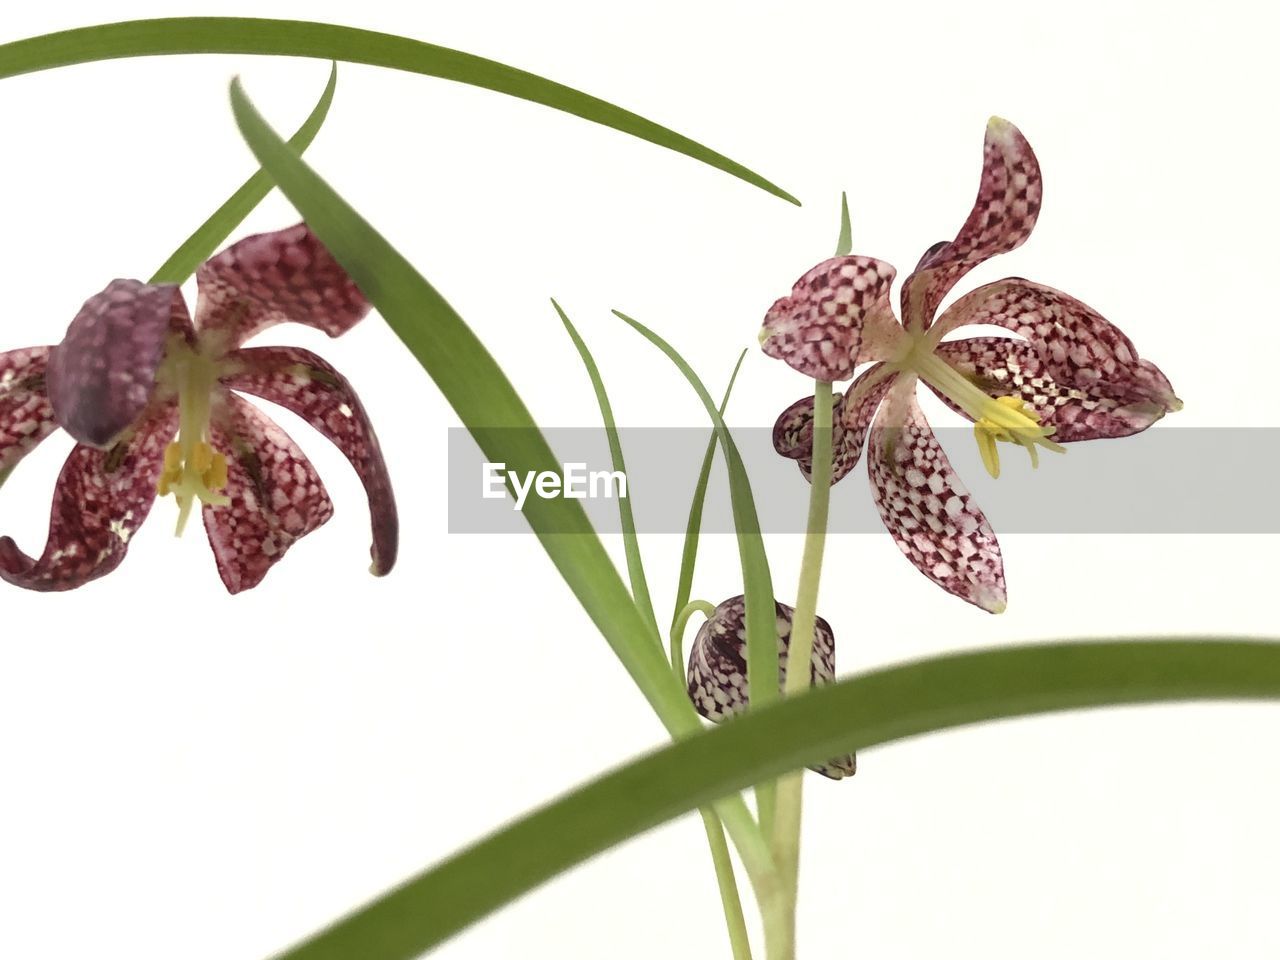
{"x": 200, "y": 776}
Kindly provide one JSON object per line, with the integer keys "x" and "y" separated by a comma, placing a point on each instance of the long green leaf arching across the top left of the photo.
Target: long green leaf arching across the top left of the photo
{"x": 240, "y": 35}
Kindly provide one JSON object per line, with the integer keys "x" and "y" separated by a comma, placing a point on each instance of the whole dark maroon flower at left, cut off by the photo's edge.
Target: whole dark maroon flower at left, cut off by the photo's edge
{"x": 153, "y": 400}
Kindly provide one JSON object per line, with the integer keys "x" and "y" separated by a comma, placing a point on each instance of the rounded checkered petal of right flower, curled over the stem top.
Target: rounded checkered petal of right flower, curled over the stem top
{"x": 821, "y": 327}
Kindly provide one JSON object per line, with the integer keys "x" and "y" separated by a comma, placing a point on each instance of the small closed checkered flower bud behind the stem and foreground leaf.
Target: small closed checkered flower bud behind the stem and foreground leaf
{"x": 717, "y": 668}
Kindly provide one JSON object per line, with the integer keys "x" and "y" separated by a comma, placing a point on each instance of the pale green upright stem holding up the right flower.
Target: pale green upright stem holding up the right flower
{"x": 787, "y": 831}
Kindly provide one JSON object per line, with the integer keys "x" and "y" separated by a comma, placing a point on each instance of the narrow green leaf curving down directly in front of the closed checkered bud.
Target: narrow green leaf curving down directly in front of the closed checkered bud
{"x": 762, "y": 638}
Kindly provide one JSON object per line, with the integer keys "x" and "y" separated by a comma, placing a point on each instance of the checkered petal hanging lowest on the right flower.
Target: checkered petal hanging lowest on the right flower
{"x": 927, "y": 510}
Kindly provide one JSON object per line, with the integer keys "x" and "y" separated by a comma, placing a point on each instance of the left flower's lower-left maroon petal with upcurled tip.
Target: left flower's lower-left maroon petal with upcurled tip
{"x": 100, "y": 501}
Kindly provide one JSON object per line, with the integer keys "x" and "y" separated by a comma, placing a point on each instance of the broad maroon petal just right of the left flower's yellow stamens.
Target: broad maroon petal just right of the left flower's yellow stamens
{"x": 276, "y": 495}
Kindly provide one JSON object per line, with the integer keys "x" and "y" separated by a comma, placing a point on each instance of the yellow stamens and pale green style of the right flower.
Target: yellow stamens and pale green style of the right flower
{"x": 995, "y": 419}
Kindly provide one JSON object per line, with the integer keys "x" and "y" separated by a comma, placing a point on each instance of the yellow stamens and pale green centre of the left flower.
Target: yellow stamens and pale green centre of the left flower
{"x": 193, "y": 469}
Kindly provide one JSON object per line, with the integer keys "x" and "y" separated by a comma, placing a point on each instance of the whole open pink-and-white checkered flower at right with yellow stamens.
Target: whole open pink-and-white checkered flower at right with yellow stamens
{"x": 1067, "y": 374}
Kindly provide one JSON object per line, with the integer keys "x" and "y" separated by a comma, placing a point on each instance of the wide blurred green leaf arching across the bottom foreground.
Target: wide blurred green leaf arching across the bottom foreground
{"x": 852, "y": 715}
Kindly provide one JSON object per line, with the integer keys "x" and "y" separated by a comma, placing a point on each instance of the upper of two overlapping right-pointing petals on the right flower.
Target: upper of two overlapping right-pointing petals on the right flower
{"x": 1078, "y": 346}
